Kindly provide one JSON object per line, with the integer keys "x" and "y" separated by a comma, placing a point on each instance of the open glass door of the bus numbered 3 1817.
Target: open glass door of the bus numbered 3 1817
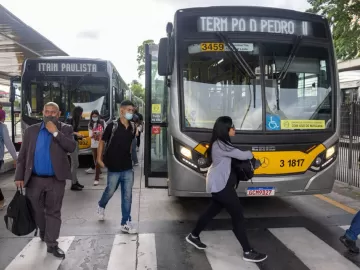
{"x": 155, "y": 153}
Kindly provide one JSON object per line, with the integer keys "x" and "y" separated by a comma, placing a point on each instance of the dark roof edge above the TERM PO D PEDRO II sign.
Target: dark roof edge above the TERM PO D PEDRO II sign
{"x": 251, "y": 10}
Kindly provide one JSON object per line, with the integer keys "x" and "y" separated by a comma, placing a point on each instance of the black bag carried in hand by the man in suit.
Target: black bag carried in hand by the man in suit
{"x": 19, "y": 218}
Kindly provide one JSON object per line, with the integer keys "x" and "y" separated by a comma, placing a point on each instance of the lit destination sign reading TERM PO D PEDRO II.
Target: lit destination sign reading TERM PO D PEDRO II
{"x": 253, "y": 24}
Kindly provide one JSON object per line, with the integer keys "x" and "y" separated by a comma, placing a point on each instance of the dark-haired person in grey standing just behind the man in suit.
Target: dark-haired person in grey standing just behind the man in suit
{"x": 74, "y": 121}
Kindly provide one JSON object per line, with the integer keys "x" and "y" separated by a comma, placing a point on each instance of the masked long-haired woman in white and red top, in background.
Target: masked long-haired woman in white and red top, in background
{"x": 96, "y": 130}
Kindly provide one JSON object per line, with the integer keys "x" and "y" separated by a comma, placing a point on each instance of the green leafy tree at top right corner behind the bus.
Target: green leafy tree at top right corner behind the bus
{"x": 344, "y": 18}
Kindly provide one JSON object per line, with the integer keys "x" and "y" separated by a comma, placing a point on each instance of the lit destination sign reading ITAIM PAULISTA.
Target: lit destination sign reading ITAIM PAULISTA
{"x": 67, "y": 67}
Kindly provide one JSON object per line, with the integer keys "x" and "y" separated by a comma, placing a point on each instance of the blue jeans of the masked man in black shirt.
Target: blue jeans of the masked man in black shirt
{"x": 126, "y": 181}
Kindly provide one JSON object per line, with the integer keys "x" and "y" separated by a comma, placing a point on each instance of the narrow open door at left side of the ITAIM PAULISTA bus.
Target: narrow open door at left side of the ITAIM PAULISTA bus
{"x": 15, "y": 109}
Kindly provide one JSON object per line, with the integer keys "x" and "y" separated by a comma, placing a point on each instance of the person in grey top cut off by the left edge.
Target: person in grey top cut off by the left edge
{"x": 5, "y": 141}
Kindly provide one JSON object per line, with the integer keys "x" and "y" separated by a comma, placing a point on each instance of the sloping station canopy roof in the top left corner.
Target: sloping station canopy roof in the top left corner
{"x": 18, "y": 42}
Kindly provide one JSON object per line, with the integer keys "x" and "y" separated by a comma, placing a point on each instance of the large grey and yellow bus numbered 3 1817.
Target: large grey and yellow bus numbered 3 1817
{"x": 272, "y": 70}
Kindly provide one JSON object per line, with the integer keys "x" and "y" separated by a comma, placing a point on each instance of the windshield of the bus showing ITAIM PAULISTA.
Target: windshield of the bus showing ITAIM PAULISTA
{"x": 67, "y": 91}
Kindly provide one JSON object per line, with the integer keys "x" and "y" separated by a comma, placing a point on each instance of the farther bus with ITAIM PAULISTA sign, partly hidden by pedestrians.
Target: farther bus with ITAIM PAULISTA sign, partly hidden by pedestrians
{"x": 93, "y": 84}
